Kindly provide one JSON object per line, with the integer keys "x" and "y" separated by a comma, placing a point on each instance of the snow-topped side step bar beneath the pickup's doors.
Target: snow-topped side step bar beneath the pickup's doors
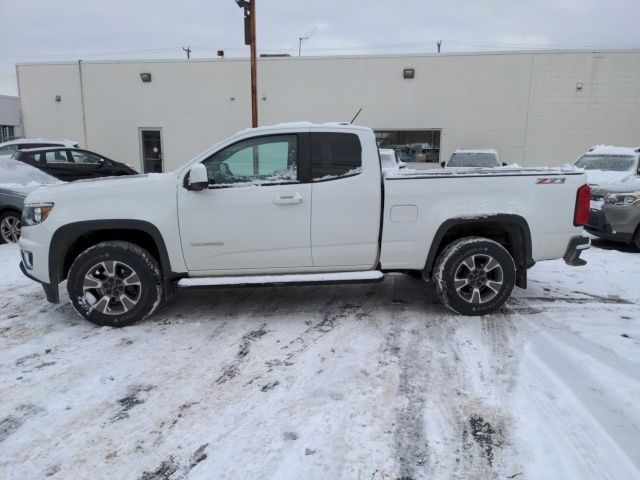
{"x": 271, "y": 280}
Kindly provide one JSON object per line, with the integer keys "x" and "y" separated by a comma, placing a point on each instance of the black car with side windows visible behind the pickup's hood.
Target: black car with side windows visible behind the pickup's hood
{"x": 69, "y": 164}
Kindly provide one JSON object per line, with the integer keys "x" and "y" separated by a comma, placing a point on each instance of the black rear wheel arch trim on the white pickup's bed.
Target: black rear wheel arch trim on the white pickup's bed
{"x": 509, "y": 230}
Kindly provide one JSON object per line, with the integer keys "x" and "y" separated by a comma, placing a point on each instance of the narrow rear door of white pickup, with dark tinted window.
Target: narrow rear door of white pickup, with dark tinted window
{"x": 346, "y": 190}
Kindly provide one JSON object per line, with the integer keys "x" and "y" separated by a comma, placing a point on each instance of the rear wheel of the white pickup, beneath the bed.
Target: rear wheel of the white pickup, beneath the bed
{"x": 488, "y": 284}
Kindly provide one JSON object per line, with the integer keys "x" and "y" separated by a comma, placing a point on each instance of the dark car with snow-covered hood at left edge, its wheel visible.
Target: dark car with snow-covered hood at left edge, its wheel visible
{"x": 16, "y": 181}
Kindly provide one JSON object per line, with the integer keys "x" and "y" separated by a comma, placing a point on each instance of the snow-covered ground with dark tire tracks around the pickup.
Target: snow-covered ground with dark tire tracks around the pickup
{"x": 355, "y": 382}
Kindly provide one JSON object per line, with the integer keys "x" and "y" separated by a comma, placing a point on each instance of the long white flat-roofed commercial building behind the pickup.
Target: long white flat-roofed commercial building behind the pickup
{"x": 535, "y": 108}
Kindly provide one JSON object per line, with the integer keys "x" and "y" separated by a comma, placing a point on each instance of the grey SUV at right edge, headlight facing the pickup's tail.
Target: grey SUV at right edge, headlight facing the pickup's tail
{"x": 615, "y": 214}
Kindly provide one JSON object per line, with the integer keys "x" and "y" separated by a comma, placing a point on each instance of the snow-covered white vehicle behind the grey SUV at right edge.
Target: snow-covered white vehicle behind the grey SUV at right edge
{"x": 606, "y": 164}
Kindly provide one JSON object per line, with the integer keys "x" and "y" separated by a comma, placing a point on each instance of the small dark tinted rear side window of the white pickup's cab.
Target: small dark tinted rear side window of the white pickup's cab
{"x": 335, "y": 155}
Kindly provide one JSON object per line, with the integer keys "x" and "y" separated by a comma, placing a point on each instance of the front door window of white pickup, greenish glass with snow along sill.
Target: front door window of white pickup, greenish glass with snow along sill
{"x": 257, "y": 161}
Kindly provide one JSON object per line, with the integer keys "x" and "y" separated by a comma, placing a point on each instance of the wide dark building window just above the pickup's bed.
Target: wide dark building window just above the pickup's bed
{"x": 411, "y": 145}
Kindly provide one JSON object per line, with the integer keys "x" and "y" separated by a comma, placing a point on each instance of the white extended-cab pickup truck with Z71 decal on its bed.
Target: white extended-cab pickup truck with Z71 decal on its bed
{"x": 298, "y": 203}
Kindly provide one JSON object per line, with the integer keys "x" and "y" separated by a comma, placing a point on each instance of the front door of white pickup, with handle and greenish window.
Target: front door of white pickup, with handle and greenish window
{"x": 255, "y": 215}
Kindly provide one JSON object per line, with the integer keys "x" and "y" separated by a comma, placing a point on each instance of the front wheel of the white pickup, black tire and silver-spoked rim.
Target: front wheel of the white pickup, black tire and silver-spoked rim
{"x": 115, "y": 284}
